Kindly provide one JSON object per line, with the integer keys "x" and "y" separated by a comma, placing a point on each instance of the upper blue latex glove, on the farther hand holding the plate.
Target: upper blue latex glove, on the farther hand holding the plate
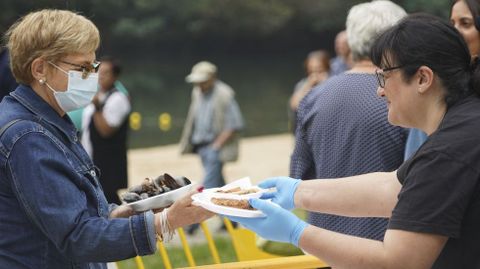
{"x": 285, "y": 192}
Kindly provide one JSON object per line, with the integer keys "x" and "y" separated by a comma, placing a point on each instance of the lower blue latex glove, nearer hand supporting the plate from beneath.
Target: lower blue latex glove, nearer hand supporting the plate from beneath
{"x": 278, "y": 224}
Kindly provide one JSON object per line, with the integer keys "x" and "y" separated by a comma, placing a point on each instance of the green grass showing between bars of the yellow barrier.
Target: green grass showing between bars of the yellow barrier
{"x": 200, "y": 252}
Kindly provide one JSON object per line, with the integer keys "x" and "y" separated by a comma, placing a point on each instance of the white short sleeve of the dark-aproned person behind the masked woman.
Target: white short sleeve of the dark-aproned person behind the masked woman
{"x": 116, "y": 109}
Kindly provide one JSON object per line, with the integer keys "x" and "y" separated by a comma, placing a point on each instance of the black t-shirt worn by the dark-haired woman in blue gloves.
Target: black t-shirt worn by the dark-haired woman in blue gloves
{"x": 440, "y": 187}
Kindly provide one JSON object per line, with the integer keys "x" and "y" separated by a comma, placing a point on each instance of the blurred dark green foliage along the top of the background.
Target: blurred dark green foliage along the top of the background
{"x": 164, "y": 22}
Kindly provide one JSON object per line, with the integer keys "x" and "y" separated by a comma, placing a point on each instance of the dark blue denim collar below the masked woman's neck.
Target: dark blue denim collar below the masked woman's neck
{"x": 42, "y": 110}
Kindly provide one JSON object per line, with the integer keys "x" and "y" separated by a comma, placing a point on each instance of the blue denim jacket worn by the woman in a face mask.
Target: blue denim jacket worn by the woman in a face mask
{"x": 53, "y": 210}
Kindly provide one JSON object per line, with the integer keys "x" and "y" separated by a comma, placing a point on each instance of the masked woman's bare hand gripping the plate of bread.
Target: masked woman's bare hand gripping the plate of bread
{"x": 183, "y": 213}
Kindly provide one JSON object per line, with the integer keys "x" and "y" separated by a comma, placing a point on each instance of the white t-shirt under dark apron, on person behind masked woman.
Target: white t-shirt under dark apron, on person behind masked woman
{"x": 114, "y": 111}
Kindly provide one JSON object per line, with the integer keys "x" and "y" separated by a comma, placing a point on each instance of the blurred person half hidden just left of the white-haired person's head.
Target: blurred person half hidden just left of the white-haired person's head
{"x": 341, "y": 62}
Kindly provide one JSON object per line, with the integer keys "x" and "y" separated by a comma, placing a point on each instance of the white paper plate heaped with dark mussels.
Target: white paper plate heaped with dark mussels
{"x": 161, "y": 200}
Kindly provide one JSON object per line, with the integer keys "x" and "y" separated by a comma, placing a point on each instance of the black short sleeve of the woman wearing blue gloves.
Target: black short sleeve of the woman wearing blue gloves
{"x": 435, "y": 194}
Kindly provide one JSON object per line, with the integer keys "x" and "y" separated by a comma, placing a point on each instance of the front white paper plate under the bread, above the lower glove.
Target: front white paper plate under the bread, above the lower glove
{"x": 204, "y": 200}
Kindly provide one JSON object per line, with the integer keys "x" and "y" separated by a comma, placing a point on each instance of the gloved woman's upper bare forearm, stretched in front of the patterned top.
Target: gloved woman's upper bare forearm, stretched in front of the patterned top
{"x": 368, "y": 195}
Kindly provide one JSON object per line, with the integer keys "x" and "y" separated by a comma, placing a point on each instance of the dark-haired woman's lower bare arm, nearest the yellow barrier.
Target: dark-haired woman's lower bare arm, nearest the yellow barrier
{"x": 400, "y": 249}
